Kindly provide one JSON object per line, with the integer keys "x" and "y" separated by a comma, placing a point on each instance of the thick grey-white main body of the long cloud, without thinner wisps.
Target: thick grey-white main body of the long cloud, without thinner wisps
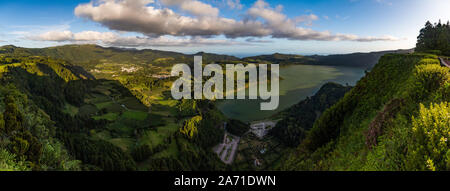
{"x": 156, "y": 22}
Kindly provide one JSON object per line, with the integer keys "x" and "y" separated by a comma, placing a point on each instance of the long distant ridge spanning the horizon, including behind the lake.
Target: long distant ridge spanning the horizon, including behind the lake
{"x": 89, "y": 56}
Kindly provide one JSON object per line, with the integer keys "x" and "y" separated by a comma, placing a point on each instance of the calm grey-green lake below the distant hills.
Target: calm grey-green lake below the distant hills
{"x": 299, "y": 82}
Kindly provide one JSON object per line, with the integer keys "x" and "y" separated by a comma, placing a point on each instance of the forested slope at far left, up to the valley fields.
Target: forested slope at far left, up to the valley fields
{"x": 33, "y": 91}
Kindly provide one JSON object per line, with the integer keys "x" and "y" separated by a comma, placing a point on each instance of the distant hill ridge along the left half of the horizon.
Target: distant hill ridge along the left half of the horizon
{"x": 85, "y": 54}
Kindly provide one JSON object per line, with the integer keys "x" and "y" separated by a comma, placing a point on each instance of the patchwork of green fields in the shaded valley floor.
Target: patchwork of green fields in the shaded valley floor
{"x": 131, "y": 123}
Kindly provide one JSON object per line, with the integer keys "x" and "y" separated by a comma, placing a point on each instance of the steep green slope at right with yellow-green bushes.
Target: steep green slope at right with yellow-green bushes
{"x": 395, "y": 118}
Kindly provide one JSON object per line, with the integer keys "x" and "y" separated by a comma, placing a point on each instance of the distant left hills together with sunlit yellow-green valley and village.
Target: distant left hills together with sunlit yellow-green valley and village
{"x": 146, "y": 73}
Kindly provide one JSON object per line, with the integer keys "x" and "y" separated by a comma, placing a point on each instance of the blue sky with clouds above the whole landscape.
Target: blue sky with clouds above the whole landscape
{"x": 235, "y": 27}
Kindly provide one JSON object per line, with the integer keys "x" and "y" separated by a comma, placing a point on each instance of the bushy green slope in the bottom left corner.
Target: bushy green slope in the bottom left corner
{"x": 27, "y": 136}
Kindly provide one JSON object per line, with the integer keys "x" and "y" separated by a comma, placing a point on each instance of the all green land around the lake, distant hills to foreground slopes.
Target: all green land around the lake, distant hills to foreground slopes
{"x": 84, "y": 107}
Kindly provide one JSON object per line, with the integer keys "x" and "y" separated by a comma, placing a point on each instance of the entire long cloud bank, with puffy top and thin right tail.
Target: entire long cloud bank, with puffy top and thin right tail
{"x": 260, "y": 20}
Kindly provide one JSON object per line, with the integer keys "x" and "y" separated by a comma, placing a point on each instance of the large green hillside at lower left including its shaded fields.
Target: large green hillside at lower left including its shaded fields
{"x": 52, "y": 117}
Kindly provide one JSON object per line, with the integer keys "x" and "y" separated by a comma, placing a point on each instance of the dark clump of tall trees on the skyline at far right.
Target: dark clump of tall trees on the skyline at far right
{"x": 434, "y": 38}
